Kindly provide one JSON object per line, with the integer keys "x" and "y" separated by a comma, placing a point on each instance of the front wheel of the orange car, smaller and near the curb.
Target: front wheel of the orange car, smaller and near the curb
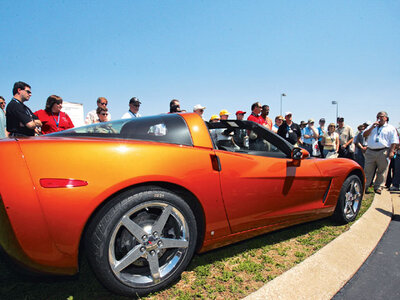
{"x": 349, "y": 201}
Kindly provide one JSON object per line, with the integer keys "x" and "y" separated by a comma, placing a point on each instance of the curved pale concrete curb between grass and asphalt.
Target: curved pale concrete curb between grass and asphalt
{"x": 324, "y": 273}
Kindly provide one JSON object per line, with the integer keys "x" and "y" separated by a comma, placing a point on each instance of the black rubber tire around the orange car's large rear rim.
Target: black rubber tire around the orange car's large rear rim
{"x": 102, "y": 226}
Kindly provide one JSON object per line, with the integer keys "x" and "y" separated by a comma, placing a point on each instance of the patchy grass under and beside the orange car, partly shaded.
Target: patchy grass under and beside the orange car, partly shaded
{"x": 229, "y": 272}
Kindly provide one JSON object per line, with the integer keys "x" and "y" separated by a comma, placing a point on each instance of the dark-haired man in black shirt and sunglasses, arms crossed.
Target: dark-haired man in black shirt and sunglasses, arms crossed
{"x": 20, "y": 119}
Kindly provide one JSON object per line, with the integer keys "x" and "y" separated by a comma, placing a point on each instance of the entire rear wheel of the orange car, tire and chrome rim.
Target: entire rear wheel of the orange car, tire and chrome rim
{"x": 141, "y": 241}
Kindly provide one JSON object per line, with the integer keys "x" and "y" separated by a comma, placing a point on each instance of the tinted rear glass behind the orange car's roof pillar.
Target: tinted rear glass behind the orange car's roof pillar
{"x": 168, "y": 128}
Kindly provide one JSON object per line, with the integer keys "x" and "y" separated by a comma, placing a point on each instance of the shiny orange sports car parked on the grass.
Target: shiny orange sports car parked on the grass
{"x": 139, "y": 196}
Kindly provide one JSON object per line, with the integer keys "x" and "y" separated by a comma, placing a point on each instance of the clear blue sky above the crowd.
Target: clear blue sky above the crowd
{"x": 222, "y": 54}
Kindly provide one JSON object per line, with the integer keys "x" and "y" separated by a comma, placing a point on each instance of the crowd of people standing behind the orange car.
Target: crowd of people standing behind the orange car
{"x": 375, "y": 146}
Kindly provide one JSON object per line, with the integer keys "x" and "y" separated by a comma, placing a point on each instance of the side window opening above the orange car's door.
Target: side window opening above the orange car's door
{"x": 247, "y": 137}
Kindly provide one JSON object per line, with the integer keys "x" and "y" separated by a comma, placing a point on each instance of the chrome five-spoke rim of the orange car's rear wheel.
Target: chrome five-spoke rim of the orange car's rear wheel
{"x": 148, "y": 244}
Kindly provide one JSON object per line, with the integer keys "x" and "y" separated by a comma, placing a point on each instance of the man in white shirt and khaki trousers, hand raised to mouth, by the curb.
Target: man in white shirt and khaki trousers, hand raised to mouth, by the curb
{"x": 382, "y": 139}
